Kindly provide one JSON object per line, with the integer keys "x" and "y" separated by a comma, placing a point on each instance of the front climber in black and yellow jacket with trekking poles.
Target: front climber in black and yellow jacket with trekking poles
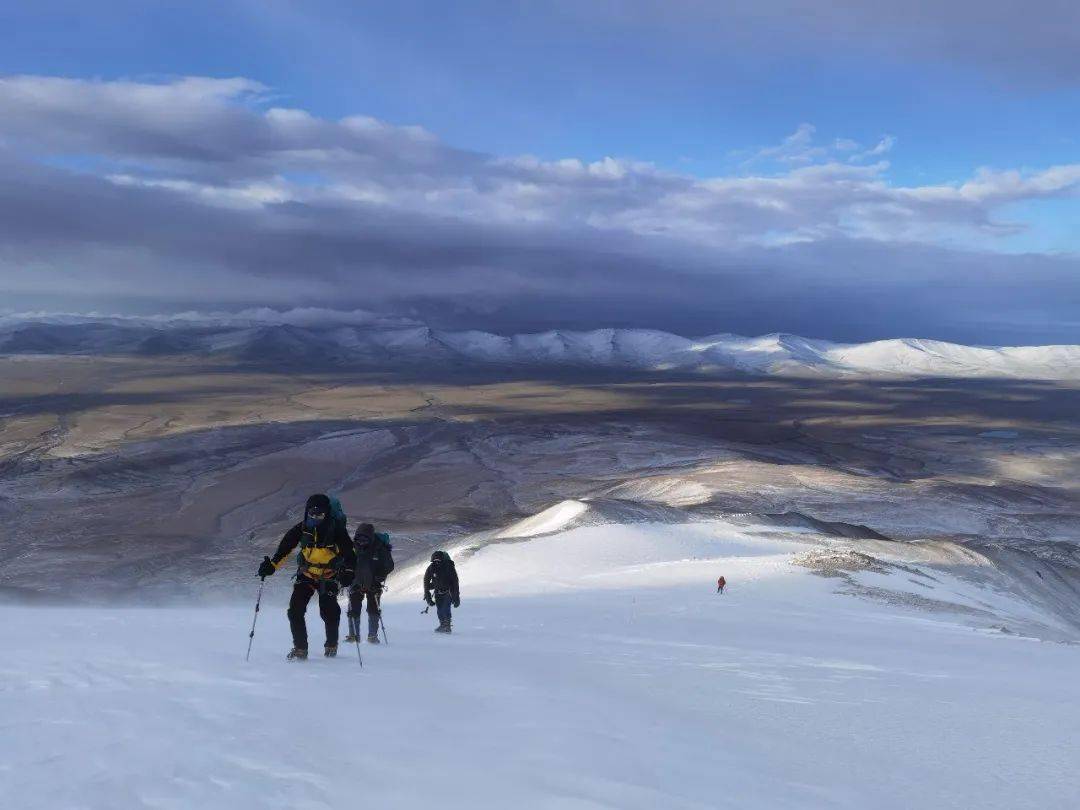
{"x": 327, "y": 561}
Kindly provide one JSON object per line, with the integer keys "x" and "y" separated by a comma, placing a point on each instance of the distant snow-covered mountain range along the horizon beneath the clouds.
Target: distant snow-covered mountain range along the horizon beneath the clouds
{"x": 335, "y": 339}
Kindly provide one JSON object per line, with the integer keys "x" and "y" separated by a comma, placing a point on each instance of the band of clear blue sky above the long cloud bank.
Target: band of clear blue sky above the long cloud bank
{"x": 510, "y": 78}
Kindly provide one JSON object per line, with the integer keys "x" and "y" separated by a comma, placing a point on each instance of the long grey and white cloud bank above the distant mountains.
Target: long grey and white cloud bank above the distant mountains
{"x": 199, "y": 191}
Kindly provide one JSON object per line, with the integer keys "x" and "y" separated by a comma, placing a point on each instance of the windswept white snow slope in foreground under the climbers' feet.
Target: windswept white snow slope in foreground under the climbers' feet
{"x": 592, "y": 668}
